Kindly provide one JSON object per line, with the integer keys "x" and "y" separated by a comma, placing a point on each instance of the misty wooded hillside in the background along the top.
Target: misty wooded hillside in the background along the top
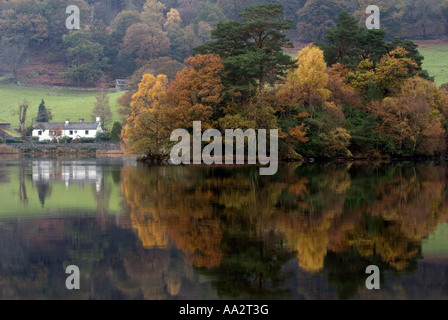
{"x": 122, "y": 38}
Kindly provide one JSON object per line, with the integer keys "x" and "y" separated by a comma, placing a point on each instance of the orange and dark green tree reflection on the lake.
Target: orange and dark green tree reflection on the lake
{"x": 242, "y": 229}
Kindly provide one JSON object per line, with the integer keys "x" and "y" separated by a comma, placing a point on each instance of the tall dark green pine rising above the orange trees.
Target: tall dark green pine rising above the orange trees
{"x": 252, "y": 50}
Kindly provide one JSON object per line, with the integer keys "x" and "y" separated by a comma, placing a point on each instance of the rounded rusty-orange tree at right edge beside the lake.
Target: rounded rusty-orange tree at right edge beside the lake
{"x": 413, "y": 121}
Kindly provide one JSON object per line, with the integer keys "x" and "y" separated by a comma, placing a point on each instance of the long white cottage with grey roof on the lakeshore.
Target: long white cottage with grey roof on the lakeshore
{"x": 74, "y": 130}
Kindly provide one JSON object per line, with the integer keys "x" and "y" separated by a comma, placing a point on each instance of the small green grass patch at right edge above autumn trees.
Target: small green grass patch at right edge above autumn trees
{"x": 436, "y": 62}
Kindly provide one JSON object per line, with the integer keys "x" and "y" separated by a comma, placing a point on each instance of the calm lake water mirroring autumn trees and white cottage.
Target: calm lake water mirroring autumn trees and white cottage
{"x": 139, "y": 232}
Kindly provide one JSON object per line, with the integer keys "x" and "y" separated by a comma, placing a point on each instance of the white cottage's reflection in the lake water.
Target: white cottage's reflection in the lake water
{"x": 73, "y": 172}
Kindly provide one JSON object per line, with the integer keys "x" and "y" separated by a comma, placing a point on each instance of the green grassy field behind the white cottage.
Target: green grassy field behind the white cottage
{"x": 63, "y": 104}
